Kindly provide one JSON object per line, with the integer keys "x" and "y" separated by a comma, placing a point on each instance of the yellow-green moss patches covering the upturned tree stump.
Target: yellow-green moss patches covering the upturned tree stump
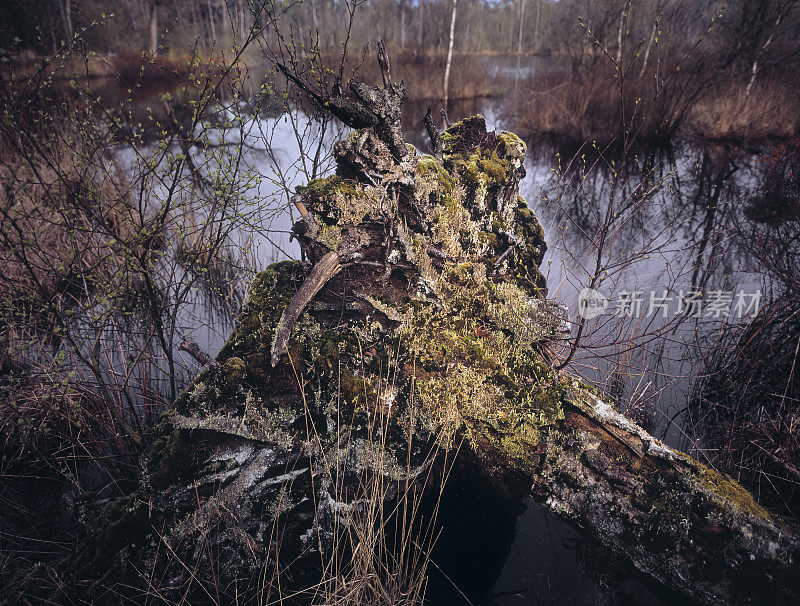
{"x": 475, "y": 346}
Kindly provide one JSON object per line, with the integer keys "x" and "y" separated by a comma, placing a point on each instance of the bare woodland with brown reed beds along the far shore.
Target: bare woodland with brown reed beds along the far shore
{"x": 726, "y": 70}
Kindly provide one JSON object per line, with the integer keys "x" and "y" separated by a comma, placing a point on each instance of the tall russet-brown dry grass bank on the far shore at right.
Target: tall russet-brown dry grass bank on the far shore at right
{"x": 590, "y": 107}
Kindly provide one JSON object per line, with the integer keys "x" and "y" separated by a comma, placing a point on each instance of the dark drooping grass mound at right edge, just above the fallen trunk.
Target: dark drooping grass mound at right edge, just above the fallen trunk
{"x": 747, "y": 409}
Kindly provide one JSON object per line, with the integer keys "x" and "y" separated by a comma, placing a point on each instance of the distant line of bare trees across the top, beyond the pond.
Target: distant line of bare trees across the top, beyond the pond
{"x": 745, "y": 31}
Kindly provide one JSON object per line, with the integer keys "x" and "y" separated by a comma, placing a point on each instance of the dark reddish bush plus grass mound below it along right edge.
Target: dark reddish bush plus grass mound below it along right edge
{"x": 747, "y": 406}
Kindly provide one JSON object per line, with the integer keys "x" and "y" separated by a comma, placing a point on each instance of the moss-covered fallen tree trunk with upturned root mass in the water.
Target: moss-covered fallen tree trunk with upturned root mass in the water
{"x": 417, "y": 325}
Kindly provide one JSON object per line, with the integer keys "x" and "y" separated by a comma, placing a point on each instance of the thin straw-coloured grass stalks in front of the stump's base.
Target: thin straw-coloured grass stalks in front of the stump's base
{"x": 382, "y": 547}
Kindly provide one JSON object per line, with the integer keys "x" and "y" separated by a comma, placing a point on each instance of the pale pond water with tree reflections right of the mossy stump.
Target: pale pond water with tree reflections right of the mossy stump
{"x": 663, "y": 224}
